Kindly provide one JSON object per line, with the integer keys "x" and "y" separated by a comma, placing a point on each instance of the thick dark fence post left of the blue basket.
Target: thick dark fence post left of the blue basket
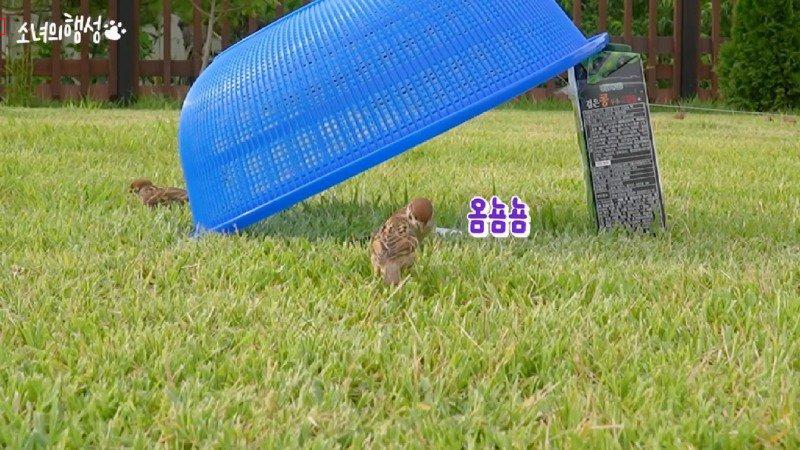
{"x": 127, "y": 53}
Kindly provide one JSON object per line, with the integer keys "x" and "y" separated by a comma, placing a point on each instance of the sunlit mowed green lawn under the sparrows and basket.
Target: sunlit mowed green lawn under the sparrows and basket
{"x": 117, "y": 329}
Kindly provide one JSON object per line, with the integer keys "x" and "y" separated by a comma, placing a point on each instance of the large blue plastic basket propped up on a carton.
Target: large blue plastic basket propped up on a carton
{"x": 339, "y": 86}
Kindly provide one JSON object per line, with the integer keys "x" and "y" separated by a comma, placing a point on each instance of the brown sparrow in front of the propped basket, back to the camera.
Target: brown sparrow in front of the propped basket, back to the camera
{"x": 395, "y": 243}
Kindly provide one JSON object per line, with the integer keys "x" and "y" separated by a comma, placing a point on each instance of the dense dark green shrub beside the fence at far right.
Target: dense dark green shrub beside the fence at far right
{"x": 760, "y": 66}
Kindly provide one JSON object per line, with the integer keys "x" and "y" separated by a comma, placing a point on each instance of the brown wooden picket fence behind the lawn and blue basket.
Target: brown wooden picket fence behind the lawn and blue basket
{"x": 678, "y": 66}
